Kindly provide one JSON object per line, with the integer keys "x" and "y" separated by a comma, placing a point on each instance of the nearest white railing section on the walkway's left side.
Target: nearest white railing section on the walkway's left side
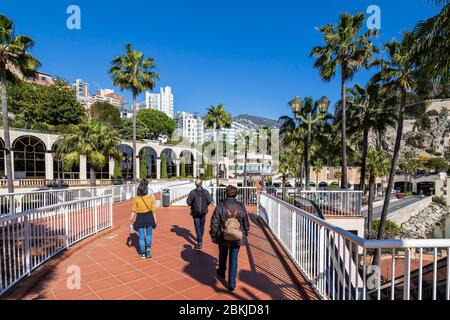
{"x": 30, "y": 238}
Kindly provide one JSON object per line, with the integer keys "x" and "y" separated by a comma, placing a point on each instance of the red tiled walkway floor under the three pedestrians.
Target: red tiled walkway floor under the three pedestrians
{"x": 111, "y": 268}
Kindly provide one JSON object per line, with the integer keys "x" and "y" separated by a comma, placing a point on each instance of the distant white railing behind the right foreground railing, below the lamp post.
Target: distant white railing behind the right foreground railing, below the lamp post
{"x": 330, "y": 202}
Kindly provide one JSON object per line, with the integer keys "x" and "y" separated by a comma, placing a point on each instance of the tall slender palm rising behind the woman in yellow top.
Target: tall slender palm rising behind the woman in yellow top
{"x": 132, "y": 71}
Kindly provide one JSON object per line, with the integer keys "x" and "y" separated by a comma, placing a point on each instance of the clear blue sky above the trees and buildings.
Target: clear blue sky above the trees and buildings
{"x": 251, "y": 55}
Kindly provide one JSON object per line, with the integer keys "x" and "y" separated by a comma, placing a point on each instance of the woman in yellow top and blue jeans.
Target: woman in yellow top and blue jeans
{"x": 144, "y": 219}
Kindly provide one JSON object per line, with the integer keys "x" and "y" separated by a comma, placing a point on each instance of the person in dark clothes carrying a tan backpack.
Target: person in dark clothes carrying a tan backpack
{"x": 229, "y": 229}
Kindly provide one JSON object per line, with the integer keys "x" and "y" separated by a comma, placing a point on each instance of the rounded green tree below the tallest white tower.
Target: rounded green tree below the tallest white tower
{"x": 155, "y": 124}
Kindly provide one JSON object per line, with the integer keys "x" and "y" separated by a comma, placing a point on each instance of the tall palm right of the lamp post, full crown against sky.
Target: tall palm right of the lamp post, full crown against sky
{"x": 344, "y": 48}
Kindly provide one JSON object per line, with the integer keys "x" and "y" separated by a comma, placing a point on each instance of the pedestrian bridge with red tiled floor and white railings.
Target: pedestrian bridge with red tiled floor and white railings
{"x": 82, "y": 249}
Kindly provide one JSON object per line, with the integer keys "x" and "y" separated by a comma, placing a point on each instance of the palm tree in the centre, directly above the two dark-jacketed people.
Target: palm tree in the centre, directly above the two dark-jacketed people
{"x": 217, "y": 118}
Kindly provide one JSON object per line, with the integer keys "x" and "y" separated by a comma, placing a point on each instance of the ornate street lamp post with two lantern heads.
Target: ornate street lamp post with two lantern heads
{"x": 310, "y": 119}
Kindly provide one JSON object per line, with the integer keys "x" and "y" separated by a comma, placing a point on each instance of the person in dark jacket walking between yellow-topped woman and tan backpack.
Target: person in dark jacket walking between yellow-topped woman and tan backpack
{"x": 199, "y": 200}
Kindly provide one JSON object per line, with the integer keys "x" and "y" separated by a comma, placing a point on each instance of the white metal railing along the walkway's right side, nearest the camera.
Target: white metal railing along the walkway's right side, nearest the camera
{"x": 339, "y": 264}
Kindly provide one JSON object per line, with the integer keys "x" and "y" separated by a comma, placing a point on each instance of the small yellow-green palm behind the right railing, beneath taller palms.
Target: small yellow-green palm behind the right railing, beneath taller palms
{"x": 377, "y": 166}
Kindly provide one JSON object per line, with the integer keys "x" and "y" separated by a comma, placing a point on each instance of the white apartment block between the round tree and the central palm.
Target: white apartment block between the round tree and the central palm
{"x": 190, "y": 126}
